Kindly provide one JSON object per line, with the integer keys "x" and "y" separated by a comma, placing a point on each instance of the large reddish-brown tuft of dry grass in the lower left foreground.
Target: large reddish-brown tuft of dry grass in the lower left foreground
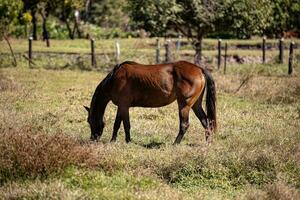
{"x": 29, "y": 155}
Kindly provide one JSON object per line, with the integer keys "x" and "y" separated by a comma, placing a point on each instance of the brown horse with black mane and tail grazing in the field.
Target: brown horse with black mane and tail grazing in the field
{"x": 135, "y": 85}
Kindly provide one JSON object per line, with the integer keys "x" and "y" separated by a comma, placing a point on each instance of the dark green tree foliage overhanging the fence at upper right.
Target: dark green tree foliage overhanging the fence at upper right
{"x": 196, "y": 18}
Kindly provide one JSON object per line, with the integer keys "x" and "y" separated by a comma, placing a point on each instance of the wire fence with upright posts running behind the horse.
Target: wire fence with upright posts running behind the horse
{"x": 93, "y": 55}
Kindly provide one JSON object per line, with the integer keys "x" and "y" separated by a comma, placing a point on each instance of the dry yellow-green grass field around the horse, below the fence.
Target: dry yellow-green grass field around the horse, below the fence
{"x": 45, "y": 152}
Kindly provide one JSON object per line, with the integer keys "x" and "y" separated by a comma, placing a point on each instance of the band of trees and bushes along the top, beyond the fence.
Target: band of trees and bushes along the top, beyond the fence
{"x": 193, "y": 18}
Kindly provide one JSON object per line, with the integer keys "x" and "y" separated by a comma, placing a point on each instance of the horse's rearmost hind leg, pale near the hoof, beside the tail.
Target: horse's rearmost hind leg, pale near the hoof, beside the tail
{"x": 198, "y": 110}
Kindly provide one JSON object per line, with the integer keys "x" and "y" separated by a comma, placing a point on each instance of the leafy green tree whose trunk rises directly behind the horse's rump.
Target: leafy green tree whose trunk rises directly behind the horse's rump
{"x": 192, "y": 18}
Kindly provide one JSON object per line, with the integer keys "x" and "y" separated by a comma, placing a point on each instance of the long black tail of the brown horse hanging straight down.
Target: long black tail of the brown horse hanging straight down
{"x": 210, "y": 100}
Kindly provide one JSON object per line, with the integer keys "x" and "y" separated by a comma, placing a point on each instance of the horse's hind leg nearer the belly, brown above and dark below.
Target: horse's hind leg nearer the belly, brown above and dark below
{"x": 184, "y": 121}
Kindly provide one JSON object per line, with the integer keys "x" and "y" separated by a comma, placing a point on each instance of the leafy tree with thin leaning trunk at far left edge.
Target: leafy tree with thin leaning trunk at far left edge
{"x": 9, "y": 10}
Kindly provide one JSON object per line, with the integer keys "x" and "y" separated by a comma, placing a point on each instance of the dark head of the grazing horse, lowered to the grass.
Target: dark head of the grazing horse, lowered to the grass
{"x": 96, "y": 126}
